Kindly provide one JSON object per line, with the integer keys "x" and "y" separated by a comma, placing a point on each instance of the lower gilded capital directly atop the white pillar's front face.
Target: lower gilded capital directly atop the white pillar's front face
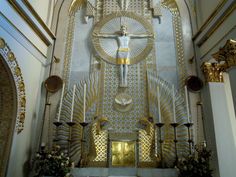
{"x": 213, "y": 72}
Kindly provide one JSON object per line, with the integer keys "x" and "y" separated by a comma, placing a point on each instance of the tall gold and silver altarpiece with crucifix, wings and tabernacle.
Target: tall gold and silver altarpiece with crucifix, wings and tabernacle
{"x": 126, "y": 114}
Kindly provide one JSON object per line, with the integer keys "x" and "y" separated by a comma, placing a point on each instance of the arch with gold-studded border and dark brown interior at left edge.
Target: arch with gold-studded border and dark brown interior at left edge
{"x": 12, "y": 102}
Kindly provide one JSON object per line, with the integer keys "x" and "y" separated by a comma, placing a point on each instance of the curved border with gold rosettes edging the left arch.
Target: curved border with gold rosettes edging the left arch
{"x": 12, "y": 63}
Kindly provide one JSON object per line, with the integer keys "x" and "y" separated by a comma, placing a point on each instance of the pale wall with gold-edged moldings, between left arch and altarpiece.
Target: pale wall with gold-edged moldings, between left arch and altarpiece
{"x": 32, "y": 44}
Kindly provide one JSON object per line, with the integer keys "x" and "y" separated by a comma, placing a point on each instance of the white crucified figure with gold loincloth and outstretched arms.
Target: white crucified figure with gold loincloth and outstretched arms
{"x": 123, "y": 51}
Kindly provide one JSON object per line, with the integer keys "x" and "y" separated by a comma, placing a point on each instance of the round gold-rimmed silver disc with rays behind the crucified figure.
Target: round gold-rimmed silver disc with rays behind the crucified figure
{"x": 139, "y": 30}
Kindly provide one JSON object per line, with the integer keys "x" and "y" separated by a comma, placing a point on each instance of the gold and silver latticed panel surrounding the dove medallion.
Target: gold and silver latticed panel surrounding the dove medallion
{"x": 127, "y": 121}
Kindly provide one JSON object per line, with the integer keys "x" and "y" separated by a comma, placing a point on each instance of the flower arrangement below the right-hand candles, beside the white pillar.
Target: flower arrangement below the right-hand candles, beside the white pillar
{"x": 196, "y": 166}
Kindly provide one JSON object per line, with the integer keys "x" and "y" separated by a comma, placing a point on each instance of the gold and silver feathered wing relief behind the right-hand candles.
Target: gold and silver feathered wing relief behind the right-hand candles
{"x": 166, "y": 108}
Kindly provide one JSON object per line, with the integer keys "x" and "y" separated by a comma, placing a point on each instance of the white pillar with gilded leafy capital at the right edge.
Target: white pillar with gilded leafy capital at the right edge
{"x": 219, "y": 112}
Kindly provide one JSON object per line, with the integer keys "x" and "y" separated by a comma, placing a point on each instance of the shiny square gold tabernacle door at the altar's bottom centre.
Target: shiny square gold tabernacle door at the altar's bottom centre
{"x": 123, "y": 154}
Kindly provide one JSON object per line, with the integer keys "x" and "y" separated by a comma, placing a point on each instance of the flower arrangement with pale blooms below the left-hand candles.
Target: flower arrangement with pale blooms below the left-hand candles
{"x": 53, "y": 163}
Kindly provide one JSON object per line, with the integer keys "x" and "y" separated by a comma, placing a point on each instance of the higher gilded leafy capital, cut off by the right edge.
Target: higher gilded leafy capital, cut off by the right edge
{"x": 227, "y": 54}
